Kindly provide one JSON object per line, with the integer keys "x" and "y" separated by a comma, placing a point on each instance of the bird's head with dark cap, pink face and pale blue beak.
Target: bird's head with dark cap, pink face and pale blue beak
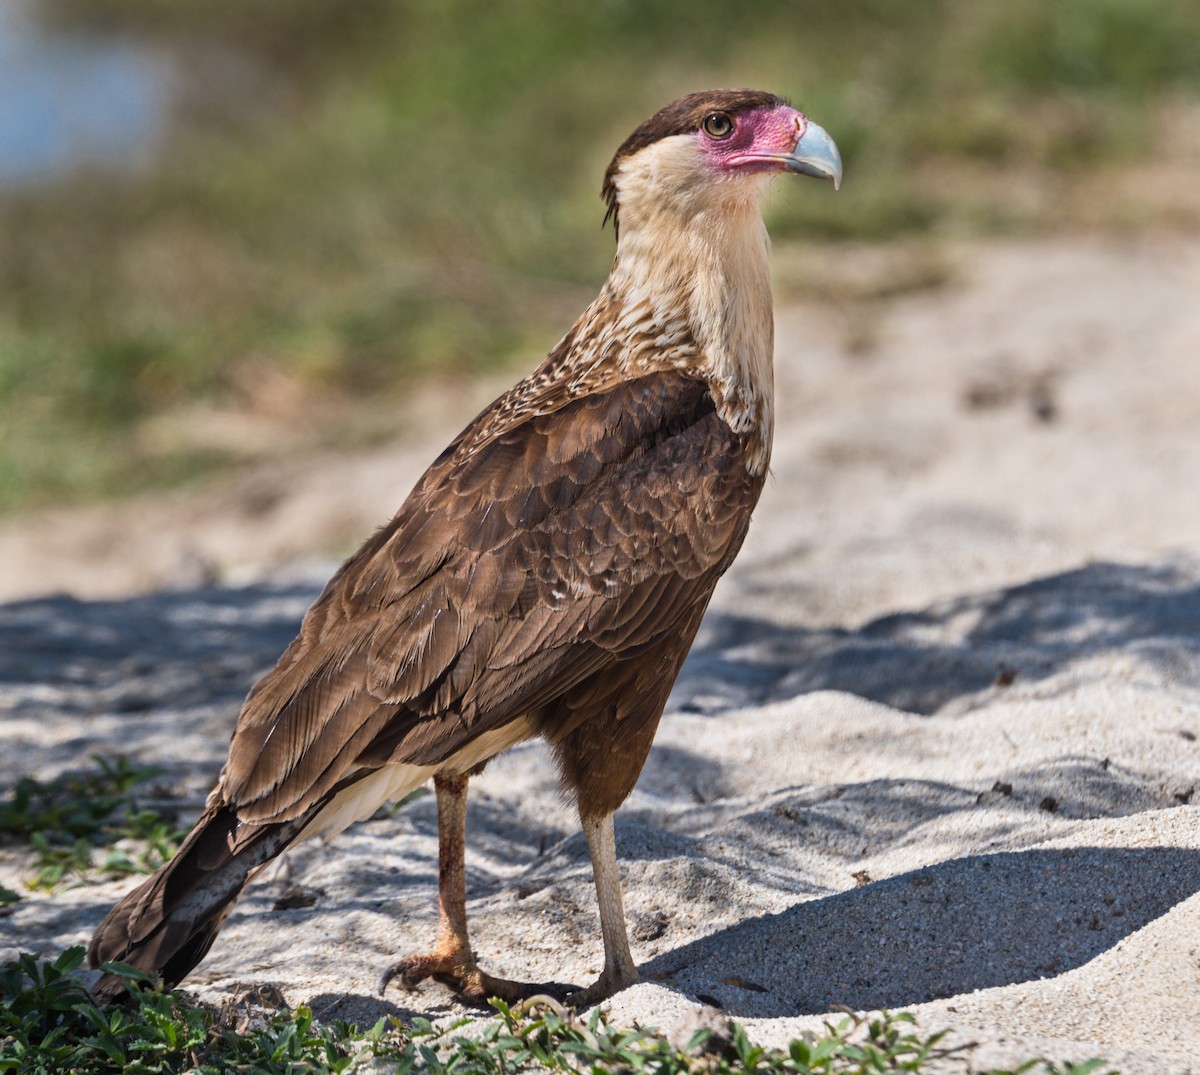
{"x": 715, "y": 148}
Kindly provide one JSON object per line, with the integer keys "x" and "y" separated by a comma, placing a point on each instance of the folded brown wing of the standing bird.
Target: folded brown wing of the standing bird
{"x": 517, "y": 570}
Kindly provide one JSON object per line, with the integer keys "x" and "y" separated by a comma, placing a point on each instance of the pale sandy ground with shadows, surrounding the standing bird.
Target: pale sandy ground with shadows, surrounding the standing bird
{"x": 938, "y": 747}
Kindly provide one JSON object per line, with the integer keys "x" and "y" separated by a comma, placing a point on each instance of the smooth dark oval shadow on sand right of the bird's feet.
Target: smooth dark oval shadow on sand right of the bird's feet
{"x": 962, "y": 926}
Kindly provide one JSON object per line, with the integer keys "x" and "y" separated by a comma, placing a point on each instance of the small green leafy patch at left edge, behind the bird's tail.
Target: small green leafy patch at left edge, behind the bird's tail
{"x": 65, "y": 820}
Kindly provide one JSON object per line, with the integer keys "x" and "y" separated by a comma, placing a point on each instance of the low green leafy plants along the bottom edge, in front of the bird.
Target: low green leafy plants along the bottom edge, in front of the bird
{"x": 50, "y": 1025}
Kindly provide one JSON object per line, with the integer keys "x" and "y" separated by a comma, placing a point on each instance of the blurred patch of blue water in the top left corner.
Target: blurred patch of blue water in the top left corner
{"x": 70, "y": 98}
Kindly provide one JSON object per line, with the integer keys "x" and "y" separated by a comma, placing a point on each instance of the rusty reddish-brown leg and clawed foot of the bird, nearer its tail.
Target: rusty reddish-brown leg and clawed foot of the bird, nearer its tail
{"x": 453, "y": 963}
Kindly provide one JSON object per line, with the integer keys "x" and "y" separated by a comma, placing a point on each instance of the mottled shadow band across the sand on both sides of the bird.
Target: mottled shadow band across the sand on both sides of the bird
{"x": 212, "y": 642}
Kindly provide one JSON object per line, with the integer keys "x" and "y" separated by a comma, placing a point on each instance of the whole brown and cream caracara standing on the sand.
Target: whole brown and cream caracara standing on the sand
{"x": 545, "y": 578}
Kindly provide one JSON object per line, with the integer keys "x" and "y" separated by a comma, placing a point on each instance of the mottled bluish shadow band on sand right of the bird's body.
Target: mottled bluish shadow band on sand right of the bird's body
{"x": 925, "y": 660}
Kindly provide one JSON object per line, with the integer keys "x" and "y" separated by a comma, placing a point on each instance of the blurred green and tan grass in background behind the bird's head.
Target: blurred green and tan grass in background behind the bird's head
{"x": 358, "y": 199}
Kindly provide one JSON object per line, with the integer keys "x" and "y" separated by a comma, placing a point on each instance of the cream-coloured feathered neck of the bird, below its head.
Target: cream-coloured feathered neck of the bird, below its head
{"x": 706, "y": 278}
